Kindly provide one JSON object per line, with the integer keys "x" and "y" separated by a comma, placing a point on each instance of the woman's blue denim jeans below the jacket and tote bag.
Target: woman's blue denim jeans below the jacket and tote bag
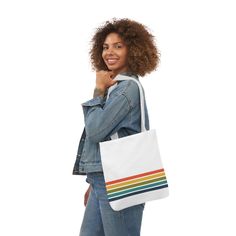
{"x": 101, "y": 220}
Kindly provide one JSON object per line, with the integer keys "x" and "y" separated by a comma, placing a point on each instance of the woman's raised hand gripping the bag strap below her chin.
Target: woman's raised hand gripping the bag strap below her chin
{"x": 104, "y": 79}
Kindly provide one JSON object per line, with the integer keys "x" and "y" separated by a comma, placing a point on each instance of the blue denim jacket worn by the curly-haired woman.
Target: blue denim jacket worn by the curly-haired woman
{"x": 120, "y": 113}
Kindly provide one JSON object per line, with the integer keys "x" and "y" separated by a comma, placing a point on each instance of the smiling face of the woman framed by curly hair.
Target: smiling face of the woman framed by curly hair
{"x": 114, "y": 53}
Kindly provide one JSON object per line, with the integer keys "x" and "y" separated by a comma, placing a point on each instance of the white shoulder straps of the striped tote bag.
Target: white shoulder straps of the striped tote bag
{"x": 123, "y": 77}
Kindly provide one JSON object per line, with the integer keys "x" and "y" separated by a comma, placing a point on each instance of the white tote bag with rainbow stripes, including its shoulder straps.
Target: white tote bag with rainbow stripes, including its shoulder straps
{"x": 132, "y": 165}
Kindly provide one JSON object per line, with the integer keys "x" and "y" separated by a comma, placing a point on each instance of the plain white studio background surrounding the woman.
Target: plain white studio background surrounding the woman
{"x": 45, "y": 76}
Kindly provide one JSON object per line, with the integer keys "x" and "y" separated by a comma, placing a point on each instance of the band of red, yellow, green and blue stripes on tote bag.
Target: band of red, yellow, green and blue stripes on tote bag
{"x": 136, "y": 184}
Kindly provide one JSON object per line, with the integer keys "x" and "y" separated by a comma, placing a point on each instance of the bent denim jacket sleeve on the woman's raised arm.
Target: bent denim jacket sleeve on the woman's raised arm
{"x": 100, "y": 119}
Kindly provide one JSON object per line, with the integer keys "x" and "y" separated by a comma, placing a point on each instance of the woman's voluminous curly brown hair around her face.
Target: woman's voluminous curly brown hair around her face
{"x": 143, "y": 56}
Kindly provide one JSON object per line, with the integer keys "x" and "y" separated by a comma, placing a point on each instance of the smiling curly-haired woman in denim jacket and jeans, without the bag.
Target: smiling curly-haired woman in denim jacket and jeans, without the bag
{"x": 118, "y": 47}
